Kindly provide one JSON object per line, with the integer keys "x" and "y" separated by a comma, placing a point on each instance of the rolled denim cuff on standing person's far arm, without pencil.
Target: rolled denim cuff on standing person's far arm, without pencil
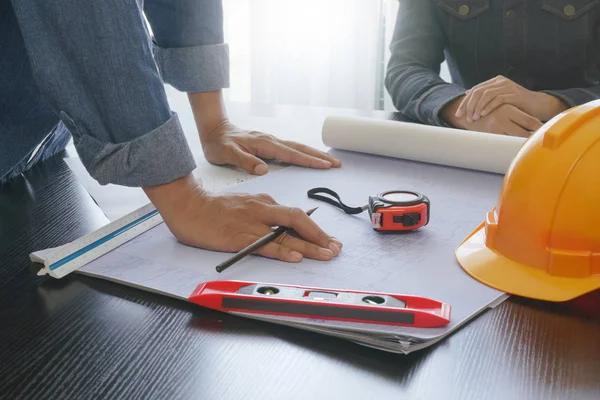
{"x": 202, "y": 68}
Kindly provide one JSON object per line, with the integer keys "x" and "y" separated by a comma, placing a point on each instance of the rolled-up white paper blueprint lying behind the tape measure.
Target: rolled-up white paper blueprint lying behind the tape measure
{"x": 430, "y": 144}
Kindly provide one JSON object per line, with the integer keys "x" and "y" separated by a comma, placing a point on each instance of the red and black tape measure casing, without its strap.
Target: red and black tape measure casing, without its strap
{"x": 399, "y": 210}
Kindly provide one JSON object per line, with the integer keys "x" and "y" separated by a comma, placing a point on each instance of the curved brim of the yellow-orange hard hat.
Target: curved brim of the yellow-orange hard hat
{"x": 501, "y": 273}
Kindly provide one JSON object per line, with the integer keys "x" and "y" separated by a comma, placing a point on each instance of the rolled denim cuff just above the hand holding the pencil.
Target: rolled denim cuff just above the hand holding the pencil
{"x": 156, "y": 158}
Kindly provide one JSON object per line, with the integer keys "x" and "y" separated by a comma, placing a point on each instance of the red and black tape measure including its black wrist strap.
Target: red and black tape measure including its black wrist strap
{"x": 394, "y": 210}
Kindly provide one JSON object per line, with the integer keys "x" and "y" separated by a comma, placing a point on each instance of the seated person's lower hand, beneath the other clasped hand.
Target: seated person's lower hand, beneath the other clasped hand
{"x": 504, "y": 120}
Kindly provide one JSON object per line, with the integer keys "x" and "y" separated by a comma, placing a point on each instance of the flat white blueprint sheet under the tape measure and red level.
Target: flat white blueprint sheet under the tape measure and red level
{"x": 420, "y": 263}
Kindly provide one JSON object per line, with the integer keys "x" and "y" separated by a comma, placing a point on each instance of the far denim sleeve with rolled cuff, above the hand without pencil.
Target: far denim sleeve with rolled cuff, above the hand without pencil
{"x": 189, "y": 43}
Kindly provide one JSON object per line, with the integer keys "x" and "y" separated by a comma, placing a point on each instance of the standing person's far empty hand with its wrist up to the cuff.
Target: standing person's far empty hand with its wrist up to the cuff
{"x": 223, "y": 143}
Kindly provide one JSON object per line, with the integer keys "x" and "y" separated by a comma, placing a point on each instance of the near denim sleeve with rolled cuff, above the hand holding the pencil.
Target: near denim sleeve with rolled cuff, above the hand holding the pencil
{"x": 93, "y": 62}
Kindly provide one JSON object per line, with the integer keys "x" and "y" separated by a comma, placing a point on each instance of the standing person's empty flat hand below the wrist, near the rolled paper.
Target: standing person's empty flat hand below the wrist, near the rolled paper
{"x": 228, "y": 144}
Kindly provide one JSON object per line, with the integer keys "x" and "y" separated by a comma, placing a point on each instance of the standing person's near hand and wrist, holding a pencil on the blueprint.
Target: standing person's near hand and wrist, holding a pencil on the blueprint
{"x": 230, "y": 222}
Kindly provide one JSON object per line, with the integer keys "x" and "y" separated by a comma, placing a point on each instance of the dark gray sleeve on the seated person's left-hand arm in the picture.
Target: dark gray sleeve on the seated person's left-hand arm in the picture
{"x": 413, "y": 72}
